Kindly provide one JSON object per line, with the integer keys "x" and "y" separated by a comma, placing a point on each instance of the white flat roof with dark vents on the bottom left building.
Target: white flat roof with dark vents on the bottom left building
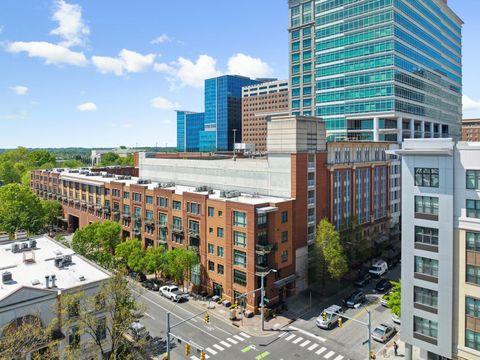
{"x": 31, "y": 273}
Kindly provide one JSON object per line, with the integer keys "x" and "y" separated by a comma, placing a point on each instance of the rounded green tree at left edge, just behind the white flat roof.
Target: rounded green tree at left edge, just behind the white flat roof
{"x": 20, "y": 209}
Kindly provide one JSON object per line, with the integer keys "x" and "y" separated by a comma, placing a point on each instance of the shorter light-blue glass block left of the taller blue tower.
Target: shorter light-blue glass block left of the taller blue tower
{"x": 189, "y": 125}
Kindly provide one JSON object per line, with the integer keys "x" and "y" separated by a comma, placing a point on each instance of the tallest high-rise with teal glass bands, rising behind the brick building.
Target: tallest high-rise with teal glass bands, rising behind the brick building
{"x": 377, "y": 69}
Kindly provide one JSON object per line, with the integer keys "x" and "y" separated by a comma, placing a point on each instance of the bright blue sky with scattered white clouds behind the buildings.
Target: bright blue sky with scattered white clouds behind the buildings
{"x": 106, "y": 73}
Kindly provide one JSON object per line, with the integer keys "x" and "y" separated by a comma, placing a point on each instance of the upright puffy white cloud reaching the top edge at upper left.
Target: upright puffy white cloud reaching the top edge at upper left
{"x": 70, "y": 24}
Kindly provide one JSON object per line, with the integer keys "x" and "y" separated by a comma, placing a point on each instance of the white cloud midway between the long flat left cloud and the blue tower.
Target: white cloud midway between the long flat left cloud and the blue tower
{"x": 127, "y": 61}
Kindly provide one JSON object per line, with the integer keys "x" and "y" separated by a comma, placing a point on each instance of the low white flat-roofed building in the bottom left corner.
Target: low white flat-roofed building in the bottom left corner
{"x": 36, "y": 274}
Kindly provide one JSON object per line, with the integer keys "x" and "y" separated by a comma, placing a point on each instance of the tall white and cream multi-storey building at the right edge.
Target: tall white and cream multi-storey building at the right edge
{"x": 441, "y": 248}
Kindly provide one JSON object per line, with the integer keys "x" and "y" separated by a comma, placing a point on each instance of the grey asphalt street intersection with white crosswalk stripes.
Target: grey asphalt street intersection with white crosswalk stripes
{"x": 301, "y": 340}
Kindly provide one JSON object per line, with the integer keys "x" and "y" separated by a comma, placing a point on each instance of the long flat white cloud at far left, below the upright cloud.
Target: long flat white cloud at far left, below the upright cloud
{"x": 51, "y": 53}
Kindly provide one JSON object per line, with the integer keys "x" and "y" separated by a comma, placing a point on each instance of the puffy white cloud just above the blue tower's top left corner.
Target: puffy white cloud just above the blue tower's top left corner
{"x": 190, "y": 73}
